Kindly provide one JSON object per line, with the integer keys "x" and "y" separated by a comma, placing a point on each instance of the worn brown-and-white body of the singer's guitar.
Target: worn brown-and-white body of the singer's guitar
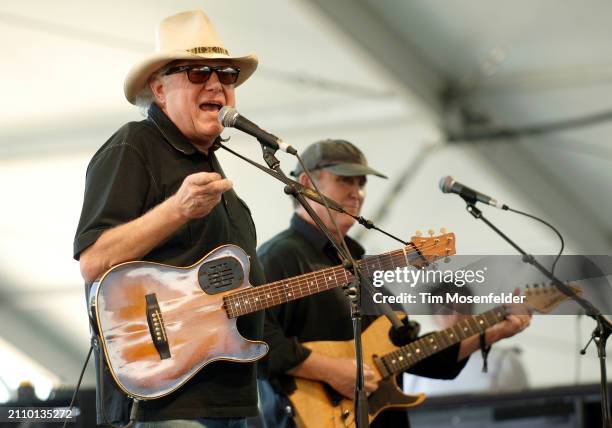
{"x": 159, "y": 325}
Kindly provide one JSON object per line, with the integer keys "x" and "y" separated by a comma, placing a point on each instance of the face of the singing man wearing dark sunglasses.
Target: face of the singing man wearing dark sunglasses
{"x": 194, "y": 107}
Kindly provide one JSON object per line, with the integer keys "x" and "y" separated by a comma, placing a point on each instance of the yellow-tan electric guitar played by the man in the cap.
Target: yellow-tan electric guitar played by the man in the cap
{"x": 317, "y": 405}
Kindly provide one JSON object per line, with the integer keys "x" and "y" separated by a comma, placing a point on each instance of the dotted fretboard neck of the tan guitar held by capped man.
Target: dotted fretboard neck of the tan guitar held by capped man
{"x": 408, "y": 355}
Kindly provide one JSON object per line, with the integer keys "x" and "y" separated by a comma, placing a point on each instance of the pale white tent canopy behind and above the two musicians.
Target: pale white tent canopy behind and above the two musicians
{"x": 372, "y": 72}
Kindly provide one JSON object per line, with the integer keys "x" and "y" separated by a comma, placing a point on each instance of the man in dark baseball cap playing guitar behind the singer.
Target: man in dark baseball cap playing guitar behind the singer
{"x": 340, "y": 170}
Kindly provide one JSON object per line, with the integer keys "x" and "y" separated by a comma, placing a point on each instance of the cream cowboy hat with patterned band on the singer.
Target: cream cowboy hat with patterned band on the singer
{"x": 185, "y": 36}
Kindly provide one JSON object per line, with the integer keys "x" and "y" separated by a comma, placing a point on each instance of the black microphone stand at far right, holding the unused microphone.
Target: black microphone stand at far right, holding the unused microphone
{"x": 601, "y": 332}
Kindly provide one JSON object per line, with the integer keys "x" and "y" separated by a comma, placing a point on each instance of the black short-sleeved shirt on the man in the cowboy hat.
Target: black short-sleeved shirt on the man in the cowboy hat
{"x": 139, "y": 167}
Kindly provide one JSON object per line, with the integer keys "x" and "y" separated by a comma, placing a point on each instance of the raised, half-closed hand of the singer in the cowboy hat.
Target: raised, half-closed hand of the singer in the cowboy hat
{"x": 199, "y": 194}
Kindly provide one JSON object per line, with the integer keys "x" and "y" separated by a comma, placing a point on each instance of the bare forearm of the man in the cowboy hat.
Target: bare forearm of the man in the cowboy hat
{"x": 130, "y": 241}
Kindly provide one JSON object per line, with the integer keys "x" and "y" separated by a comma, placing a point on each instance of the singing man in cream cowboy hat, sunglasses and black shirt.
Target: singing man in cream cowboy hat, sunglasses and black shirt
{"x": 155, "y": 191}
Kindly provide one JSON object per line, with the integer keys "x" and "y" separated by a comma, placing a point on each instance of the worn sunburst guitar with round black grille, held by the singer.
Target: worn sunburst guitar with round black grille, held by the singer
{"x": 159, "y": 325}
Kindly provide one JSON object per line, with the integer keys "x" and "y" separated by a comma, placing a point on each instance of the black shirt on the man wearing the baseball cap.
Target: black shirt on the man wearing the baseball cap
{"x": 324, "y": 316}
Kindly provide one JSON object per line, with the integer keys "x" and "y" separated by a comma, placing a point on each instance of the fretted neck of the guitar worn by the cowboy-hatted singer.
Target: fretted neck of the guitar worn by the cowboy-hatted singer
{"x": 257, "y": 298}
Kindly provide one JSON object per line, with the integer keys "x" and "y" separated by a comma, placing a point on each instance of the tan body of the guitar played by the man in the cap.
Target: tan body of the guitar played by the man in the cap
{"x": 317, "y": 408}
